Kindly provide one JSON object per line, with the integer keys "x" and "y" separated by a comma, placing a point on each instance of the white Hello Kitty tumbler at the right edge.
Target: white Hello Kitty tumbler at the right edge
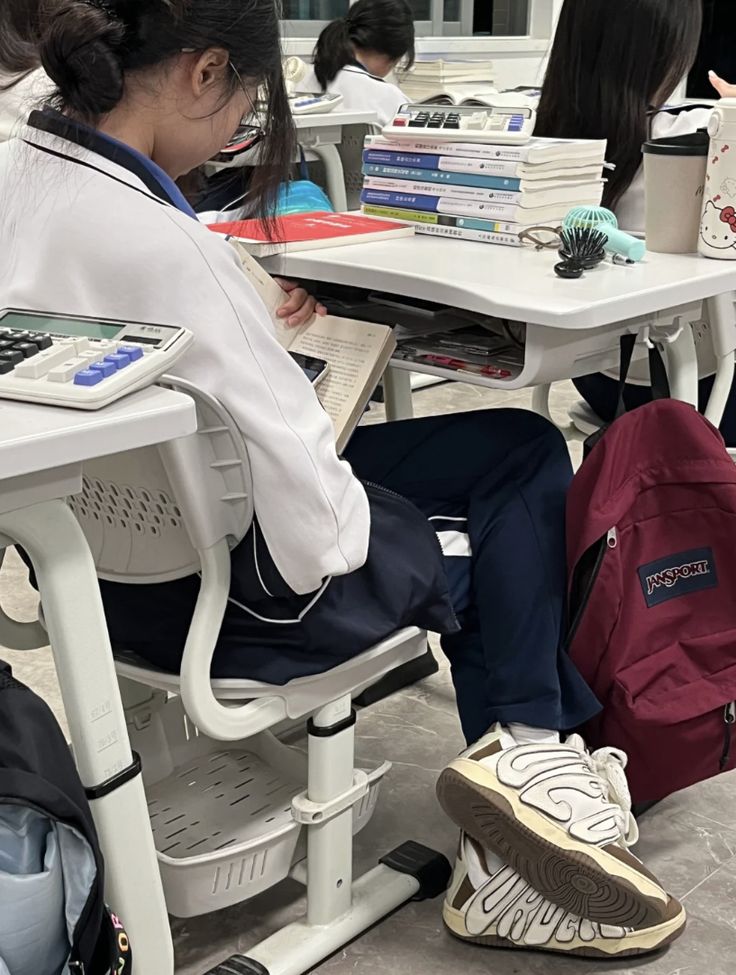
{"x": 718, "y": 224}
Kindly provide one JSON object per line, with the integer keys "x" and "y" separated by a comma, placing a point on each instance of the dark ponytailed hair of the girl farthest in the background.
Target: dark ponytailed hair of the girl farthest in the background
{"x": 383, "y": 26}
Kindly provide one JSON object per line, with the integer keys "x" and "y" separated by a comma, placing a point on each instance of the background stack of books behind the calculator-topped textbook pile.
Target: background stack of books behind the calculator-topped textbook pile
{"x": 449, "y": 82}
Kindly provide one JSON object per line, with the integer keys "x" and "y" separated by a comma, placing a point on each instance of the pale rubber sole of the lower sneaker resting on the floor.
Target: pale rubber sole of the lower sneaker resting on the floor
{"x": 643, "y": 942}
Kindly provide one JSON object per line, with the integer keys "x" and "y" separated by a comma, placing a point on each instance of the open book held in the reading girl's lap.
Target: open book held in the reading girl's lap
{"x": 357, "y": 352}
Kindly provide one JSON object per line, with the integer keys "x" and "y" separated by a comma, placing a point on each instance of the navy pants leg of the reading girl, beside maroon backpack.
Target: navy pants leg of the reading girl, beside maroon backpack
{"x": 493, "y": 484}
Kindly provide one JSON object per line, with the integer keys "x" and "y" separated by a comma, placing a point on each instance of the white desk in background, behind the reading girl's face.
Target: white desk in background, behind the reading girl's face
{"x": 320, "y": 134}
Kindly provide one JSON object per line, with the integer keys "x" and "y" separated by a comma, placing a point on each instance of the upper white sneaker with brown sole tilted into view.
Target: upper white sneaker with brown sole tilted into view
{"x": 561, "y": 818}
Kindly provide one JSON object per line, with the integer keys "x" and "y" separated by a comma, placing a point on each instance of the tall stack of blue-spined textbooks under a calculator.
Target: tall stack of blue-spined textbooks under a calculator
{"x": 488, "y": 193}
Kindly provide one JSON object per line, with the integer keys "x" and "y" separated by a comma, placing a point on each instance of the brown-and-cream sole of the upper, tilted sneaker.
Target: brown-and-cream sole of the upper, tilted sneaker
{"x": 606, "y": 885}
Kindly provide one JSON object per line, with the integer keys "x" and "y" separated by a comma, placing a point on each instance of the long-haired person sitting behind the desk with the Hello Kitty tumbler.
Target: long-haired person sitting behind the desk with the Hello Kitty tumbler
{"x": 612, "y": 70}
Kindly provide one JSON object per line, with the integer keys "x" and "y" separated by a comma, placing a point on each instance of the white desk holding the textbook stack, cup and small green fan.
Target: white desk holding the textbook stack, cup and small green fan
{"x": 573, "y": 326}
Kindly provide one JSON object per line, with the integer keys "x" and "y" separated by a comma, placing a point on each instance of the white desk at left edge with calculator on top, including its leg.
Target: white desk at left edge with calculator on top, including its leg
{"x": 42, "y": 450}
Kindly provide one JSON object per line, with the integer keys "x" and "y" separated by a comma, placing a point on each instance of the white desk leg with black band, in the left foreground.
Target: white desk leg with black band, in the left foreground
{"x": 72, "y": 607}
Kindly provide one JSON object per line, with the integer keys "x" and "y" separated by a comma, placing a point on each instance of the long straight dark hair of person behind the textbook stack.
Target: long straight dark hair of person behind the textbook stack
{"x": 612, "y": 62}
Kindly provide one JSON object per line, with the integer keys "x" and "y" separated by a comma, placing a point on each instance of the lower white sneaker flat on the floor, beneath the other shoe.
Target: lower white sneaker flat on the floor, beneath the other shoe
{"x": 488, "y": 903}
